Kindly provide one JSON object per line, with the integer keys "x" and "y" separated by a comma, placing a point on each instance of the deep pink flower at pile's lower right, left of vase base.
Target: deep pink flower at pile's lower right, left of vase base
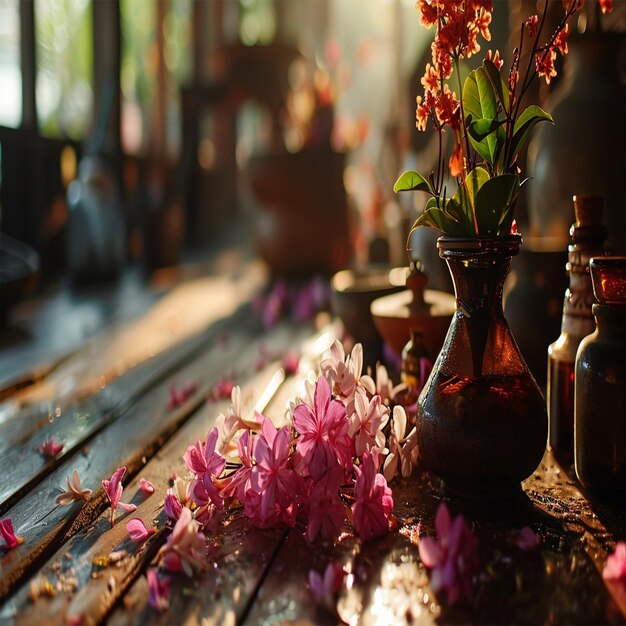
{"x": 373, "y": 499}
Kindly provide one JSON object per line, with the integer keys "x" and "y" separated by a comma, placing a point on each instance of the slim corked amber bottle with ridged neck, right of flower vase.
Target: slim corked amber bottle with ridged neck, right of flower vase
{"x": 588, "y": 235}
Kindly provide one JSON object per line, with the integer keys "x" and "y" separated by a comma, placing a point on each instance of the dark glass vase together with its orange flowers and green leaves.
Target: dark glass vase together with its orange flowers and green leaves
{"x": 482, "y": 421}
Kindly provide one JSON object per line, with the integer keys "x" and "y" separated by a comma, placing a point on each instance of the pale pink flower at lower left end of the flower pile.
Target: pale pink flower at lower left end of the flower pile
{"x": 185, "y": 550}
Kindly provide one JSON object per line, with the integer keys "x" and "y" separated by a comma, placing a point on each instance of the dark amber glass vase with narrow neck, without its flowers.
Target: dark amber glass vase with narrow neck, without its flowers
{"x": 482, "y": 422}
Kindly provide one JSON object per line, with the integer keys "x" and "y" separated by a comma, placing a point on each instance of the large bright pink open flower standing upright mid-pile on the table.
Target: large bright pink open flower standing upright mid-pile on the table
{"x": 323, "y": 430}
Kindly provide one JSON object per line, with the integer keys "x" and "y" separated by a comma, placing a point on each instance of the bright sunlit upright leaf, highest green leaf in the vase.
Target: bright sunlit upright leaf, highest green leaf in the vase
{"x": 479, "y": 103}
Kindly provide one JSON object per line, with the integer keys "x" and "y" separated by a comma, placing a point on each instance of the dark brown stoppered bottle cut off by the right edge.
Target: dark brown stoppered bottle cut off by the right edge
{"x": 600, "y": 389}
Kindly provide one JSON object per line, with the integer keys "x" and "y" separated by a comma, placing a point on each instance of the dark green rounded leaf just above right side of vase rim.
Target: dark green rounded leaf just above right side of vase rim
{"x": 494, "y": 201}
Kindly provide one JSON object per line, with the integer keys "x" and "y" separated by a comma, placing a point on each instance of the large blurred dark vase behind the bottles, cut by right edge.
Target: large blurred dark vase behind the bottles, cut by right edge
{"x": 585, "y": 151}
